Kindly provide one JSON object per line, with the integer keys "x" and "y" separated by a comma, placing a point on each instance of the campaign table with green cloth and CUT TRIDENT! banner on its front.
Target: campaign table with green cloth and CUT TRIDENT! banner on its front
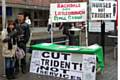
{"x": 69, "y": 62}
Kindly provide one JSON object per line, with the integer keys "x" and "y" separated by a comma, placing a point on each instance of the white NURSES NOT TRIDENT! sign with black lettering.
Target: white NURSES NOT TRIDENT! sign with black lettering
{"x": 103, "y": 10}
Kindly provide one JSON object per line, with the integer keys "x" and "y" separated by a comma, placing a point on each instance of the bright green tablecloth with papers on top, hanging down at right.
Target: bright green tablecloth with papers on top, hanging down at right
{"x": 93, "y": 49}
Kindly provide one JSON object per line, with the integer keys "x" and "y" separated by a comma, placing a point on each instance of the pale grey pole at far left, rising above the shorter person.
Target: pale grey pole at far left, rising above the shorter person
{"x": 3, "y": 14}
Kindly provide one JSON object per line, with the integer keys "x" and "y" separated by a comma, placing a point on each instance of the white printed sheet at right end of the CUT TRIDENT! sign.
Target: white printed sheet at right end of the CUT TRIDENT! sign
{"x": 89, "y": 67}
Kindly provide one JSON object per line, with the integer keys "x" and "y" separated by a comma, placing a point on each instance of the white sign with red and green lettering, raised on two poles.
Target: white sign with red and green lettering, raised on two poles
{"x": 68, "y": 12}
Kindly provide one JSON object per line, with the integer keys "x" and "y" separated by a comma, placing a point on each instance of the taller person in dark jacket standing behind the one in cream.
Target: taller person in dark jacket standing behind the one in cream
{"x": 23, "y": 34}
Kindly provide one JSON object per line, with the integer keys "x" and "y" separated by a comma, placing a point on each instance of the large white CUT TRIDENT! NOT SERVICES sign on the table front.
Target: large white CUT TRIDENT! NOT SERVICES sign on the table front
{"x": 64, "y": 65}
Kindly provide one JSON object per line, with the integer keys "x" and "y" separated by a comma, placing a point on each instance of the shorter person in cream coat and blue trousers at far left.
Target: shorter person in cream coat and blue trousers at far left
{"x": 9, "y": 48}
